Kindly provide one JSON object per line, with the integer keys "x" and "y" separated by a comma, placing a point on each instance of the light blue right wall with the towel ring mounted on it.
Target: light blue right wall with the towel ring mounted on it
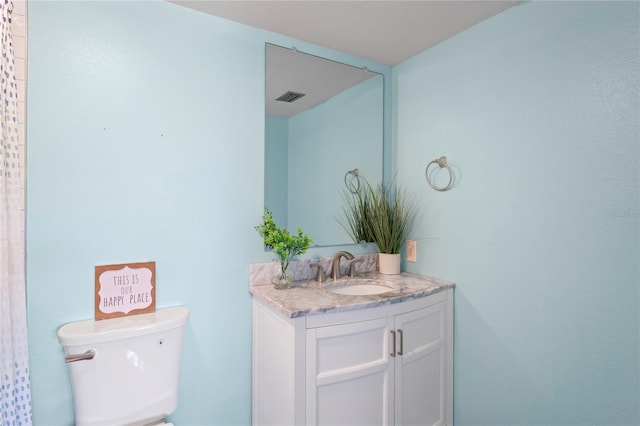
{"x": 537, "y": 111}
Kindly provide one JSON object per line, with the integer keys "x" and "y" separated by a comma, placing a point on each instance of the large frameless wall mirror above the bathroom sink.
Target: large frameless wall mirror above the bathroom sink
{"x": 323, "y": 119}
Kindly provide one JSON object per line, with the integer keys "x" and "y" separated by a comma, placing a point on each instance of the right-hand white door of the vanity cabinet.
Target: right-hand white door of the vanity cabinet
{"x": 421, "y": 367}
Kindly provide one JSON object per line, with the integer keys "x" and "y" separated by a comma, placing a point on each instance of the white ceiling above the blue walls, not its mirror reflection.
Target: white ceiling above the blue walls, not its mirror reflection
{"x": 388, "y": 31}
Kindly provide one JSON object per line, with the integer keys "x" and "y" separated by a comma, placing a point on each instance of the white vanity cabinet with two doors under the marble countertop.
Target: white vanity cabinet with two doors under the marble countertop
{"x": 386, "y": 365}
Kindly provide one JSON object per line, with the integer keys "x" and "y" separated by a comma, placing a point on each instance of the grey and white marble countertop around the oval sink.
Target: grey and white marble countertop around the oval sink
{"x": 311, "y": 298}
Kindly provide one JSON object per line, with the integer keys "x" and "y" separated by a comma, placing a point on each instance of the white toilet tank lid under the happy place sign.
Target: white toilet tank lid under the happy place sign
{"x": 90, "y": 331}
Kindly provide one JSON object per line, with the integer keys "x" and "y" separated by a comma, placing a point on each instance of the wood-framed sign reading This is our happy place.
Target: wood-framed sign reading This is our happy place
{"x": 125, "y": 289}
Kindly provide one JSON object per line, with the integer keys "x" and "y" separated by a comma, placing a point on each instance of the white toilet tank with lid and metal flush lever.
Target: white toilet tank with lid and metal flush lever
{"x": 125, "y": 371}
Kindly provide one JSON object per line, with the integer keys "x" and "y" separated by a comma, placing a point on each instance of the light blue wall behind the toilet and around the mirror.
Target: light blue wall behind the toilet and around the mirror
{"x": 145, "y": 142}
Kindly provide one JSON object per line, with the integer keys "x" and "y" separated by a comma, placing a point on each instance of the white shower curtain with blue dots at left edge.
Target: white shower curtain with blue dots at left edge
{"x": 15, "y": 395}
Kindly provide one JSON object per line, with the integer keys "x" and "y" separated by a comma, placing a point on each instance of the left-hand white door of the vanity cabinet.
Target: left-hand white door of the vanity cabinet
{"x": 350, "y": 374}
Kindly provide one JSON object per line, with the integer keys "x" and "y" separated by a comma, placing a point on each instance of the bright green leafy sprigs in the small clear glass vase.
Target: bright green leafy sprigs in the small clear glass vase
{"x": 281, "y": 241}
